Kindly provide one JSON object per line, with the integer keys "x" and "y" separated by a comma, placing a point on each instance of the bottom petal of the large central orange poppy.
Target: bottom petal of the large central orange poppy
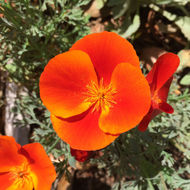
{"x": 83, "y": 134}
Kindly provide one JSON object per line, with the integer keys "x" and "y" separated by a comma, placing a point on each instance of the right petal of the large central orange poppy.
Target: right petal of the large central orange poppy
{"x": 132, "y": 100}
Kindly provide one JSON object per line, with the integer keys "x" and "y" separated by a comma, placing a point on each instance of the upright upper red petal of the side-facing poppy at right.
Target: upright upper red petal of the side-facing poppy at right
{"x": 162, "y": 70}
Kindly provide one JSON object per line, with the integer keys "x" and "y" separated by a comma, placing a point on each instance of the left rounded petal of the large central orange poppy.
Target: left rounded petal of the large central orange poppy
{"x": 63, "y": 83}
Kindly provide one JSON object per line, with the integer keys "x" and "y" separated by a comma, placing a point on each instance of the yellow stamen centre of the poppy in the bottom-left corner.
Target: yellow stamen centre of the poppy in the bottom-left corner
{"x": 21, "y": 176}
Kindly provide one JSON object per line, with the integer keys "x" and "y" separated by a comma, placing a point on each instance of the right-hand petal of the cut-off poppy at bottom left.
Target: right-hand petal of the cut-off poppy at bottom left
{"x": 43, "y": 171}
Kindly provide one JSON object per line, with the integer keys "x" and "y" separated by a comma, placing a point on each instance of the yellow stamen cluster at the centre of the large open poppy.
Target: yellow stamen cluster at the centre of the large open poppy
{"x": 100, "y": 96}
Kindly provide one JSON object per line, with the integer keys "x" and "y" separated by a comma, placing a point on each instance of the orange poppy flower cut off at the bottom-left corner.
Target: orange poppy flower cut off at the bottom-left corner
{"x": 27, "y": 167}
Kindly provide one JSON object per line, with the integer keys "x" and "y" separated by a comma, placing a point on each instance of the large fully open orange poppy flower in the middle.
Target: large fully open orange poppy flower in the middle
{"x": 95, "y": 91}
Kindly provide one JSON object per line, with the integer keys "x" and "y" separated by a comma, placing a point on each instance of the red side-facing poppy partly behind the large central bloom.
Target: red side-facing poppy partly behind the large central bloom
{"x": 159, "y": 79}
